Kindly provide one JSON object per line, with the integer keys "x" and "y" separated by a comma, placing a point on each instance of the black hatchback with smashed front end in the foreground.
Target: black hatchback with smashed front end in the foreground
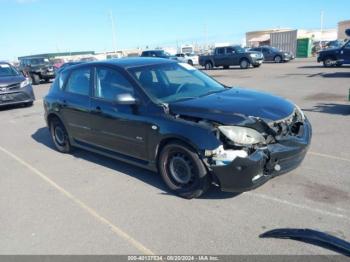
{"x": 172, "y": 118}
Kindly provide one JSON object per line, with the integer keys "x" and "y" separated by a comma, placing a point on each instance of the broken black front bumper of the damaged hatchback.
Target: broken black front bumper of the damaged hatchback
{"x": 244, "y": 174}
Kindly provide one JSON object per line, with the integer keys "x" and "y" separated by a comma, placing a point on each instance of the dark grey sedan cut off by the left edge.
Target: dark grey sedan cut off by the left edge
{"x": 14, "y": 87}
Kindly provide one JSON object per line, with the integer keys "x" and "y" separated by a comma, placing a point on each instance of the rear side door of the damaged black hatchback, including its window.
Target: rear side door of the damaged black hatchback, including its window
{"x": 75, "y": 104}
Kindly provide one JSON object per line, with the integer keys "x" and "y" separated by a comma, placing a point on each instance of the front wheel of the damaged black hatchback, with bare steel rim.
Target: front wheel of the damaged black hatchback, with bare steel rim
{"x": 183, "y": 171}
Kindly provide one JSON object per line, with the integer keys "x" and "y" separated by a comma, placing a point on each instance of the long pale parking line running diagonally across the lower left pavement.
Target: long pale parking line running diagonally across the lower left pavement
{"x": 82, "y": 205}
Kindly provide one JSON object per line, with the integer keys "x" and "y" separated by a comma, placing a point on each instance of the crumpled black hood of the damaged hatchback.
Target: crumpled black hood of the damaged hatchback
{"x": 234, "y": 106}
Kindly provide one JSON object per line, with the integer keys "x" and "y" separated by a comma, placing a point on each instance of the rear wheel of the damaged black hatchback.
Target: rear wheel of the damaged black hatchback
{"x": 60, "y": 136}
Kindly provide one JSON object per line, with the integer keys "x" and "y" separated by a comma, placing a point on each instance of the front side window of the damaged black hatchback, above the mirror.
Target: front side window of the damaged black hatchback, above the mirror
{"x": 110, "y": 84}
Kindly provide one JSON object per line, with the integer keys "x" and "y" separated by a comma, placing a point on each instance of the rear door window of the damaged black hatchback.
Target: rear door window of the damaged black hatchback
{"x": 79, "y": 82}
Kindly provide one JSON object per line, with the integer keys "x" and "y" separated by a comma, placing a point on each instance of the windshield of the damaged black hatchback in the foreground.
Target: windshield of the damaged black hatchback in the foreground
{"x": 174, "y": 82}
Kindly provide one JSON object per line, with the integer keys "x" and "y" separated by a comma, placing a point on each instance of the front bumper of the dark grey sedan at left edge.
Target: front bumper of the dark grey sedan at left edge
{"x": 17, "y": 96}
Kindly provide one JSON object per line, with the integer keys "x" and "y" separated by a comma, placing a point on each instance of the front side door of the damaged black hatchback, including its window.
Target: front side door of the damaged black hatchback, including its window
{"x": 116, "y": 128}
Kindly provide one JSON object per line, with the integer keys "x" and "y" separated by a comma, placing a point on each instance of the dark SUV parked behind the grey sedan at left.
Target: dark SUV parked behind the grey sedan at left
{"x": 37, "y": 68}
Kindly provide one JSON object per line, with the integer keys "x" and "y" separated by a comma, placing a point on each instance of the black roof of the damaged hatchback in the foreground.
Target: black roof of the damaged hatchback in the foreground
{"x": 126, "y": 63}
